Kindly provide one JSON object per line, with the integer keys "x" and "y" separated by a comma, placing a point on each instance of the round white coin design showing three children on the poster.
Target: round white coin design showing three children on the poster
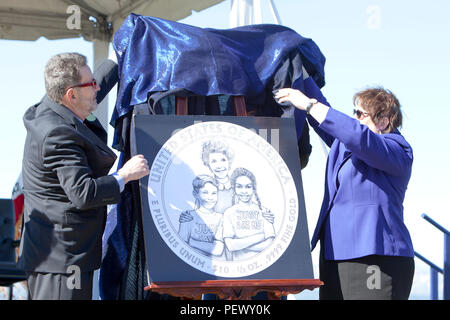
{"x": 222, "y": 199}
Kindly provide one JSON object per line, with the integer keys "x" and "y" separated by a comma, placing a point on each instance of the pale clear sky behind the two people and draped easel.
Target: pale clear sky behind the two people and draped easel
{"x": 401, "y": 45}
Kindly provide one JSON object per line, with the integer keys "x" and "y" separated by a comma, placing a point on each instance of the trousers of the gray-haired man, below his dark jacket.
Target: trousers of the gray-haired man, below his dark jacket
{"x": 57, "y": 286}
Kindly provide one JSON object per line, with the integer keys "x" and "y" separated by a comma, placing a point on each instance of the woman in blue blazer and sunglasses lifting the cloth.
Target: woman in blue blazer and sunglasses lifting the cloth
{"x": 366, "y": 249}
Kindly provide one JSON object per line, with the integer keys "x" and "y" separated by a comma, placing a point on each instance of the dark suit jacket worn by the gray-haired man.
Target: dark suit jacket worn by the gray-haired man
{"x": 66, "y": 185}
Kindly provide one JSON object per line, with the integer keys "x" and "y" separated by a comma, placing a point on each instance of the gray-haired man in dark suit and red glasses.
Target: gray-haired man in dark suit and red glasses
{"x": 66, "y": 183}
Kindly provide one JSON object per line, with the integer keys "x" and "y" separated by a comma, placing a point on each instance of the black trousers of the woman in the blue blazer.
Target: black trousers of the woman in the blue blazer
{"x": 372, "y": 277}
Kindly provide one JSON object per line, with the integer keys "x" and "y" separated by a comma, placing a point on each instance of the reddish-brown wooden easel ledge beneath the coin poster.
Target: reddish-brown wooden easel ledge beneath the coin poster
{"x": 234, "y": 289}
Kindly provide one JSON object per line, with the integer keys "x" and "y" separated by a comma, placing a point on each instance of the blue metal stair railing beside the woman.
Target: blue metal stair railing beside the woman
{"x": 434, "y": 269}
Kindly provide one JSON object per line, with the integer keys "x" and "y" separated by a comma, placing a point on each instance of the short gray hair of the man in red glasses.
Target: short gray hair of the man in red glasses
{"x": 61, "y": 72}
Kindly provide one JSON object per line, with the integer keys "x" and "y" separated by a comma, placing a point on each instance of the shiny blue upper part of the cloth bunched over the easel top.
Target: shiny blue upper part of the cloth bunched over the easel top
{"x": 159, "y": 55}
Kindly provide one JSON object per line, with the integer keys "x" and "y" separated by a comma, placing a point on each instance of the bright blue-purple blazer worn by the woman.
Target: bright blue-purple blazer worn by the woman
{"x": 367, "y": 176}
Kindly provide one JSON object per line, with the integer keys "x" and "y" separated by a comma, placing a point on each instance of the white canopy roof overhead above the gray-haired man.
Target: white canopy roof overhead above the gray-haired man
{"x": 94, "y": 20}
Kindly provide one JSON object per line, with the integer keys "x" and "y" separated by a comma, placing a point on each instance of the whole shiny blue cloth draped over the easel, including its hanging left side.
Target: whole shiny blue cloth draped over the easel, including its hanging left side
{"x": 157, "y": 56}
